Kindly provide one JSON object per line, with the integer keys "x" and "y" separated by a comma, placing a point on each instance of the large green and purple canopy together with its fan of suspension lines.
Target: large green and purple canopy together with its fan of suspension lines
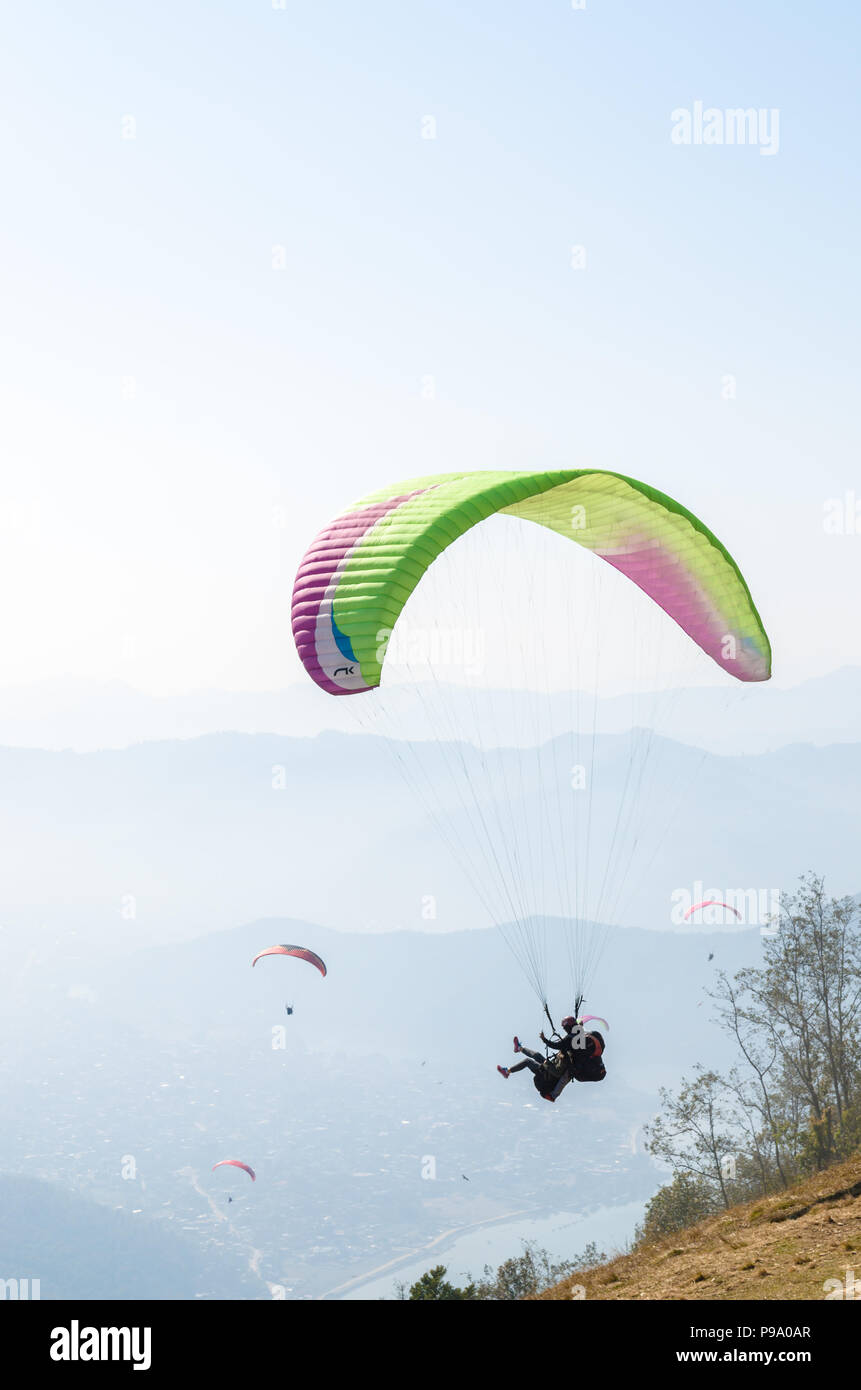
{"x": 499, "y": 753}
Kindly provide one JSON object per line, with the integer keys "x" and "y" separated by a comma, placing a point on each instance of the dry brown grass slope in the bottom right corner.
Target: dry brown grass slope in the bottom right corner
{"x": 773, "y": 1249}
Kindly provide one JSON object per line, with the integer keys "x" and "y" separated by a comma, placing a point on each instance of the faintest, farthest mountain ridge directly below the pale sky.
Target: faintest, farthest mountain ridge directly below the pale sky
{"x": 87, "y": 717}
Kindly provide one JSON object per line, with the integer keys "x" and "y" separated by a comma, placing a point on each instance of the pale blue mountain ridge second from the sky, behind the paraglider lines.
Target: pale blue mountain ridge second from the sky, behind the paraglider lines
{"x": 175, "y": 839}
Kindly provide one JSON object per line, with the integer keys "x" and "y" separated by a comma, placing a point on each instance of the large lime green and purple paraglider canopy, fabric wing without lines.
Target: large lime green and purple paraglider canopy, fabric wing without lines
{"x": 358, "y": 573}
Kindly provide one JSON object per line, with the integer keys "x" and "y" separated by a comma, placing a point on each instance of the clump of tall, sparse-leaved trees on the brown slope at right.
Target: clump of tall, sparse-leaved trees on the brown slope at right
{"x": 792, "y": 1103}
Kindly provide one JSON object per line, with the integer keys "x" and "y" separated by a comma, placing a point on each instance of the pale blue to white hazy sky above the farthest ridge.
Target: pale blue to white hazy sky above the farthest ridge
{"x": 234, "y": 266}
